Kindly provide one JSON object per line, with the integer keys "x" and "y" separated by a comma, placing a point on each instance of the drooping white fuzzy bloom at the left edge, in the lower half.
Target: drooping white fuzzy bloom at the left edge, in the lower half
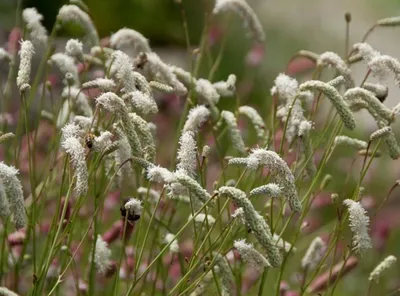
{"x": 14, "y": 193}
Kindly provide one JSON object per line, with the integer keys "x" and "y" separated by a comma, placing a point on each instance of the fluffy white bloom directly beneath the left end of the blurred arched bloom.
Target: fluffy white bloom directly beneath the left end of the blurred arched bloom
{"x": 122, "y": 66}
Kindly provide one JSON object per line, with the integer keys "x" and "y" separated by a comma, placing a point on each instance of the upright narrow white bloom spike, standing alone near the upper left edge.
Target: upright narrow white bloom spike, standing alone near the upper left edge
{"x": 24, "y": 72}
